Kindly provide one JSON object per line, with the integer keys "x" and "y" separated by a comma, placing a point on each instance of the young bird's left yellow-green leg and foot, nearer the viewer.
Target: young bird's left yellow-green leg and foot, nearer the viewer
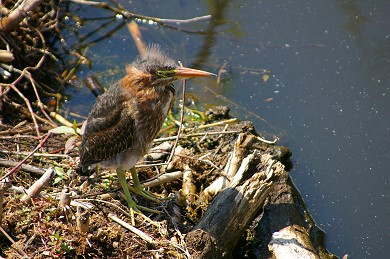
{"x": 134, "y": 208}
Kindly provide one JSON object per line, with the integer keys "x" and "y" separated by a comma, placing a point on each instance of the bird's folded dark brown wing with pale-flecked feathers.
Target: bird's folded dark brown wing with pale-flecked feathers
{"x": 110, "y": 128}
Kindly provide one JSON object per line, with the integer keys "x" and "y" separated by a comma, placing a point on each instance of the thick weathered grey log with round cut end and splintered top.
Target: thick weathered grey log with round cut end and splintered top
{"x": 232, "y": 210}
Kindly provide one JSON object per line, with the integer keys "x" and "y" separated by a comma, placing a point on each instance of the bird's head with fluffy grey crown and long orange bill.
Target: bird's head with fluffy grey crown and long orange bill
{"x": 162, "y": 70}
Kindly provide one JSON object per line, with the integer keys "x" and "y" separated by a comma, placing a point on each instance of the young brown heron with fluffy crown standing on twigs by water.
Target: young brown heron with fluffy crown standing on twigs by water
{"x": 124, "y": 120}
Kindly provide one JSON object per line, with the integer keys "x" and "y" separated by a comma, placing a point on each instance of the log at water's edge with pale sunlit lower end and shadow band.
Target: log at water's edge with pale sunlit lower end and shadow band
{"x": 286, "y": 229}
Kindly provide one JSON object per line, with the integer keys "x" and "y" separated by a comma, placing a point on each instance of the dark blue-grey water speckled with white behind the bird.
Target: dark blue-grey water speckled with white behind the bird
{"x": 327, "y": 97}
